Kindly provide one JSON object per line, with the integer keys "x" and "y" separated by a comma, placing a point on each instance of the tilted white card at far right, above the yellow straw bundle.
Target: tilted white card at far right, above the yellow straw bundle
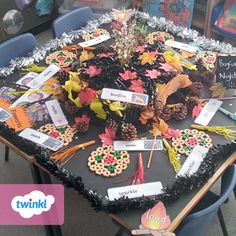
{"x": 208, "y": 112}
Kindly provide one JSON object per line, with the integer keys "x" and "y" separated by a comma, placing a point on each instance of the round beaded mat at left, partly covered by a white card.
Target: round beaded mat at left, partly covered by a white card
{"x": 64, "y": 133}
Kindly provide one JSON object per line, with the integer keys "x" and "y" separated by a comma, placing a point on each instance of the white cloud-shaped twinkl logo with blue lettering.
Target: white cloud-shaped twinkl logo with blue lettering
{"x": 34, "y": 203}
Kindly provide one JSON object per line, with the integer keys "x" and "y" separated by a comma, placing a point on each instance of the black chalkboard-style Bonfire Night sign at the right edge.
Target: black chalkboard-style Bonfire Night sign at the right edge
{"x": 226, "y": 70}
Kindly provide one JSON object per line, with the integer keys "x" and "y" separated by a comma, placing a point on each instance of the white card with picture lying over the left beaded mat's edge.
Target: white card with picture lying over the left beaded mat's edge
{"x": 42, "y": 139}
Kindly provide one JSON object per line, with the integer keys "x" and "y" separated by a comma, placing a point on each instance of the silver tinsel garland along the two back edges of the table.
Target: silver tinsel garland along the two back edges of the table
{"x": 161, "y": 24}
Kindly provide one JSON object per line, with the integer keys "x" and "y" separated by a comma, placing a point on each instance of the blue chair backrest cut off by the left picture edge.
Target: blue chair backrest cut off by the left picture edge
{"x": 18, "y": 46}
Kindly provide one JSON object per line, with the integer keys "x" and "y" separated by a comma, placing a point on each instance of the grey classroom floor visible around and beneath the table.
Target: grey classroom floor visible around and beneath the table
{"x": 80, "y": 218}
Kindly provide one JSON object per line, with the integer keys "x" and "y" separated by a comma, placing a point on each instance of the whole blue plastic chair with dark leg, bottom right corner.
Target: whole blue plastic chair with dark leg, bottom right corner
{"x": 197, "y": 223}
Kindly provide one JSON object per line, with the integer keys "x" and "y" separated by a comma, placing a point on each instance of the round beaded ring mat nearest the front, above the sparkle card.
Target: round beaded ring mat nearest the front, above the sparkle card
{"x": 107, "y": 162}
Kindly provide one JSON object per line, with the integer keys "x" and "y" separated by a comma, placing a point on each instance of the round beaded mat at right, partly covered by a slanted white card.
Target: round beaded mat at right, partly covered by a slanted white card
{"x": 188, "y": 139}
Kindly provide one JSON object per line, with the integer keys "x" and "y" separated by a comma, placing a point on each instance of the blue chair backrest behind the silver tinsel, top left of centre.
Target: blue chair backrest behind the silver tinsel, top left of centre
{"x": 73, "y": 20}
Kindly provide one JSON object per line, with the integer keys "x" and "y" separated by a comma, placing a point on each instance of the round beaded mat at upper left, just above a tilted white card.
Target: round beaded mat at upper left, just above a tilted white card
{"x": 60, "y": 58}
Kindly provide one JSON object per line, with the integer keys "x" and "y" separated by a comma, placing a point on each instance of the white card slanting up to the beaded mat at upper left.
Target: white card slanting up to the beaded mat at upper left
{"x": 43, "y": 76}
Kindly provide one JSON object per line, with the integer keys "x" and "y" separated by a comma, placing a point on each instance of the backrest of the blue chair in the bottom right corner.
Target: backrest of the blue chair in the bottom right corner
{"x": 197, "y": 223}
